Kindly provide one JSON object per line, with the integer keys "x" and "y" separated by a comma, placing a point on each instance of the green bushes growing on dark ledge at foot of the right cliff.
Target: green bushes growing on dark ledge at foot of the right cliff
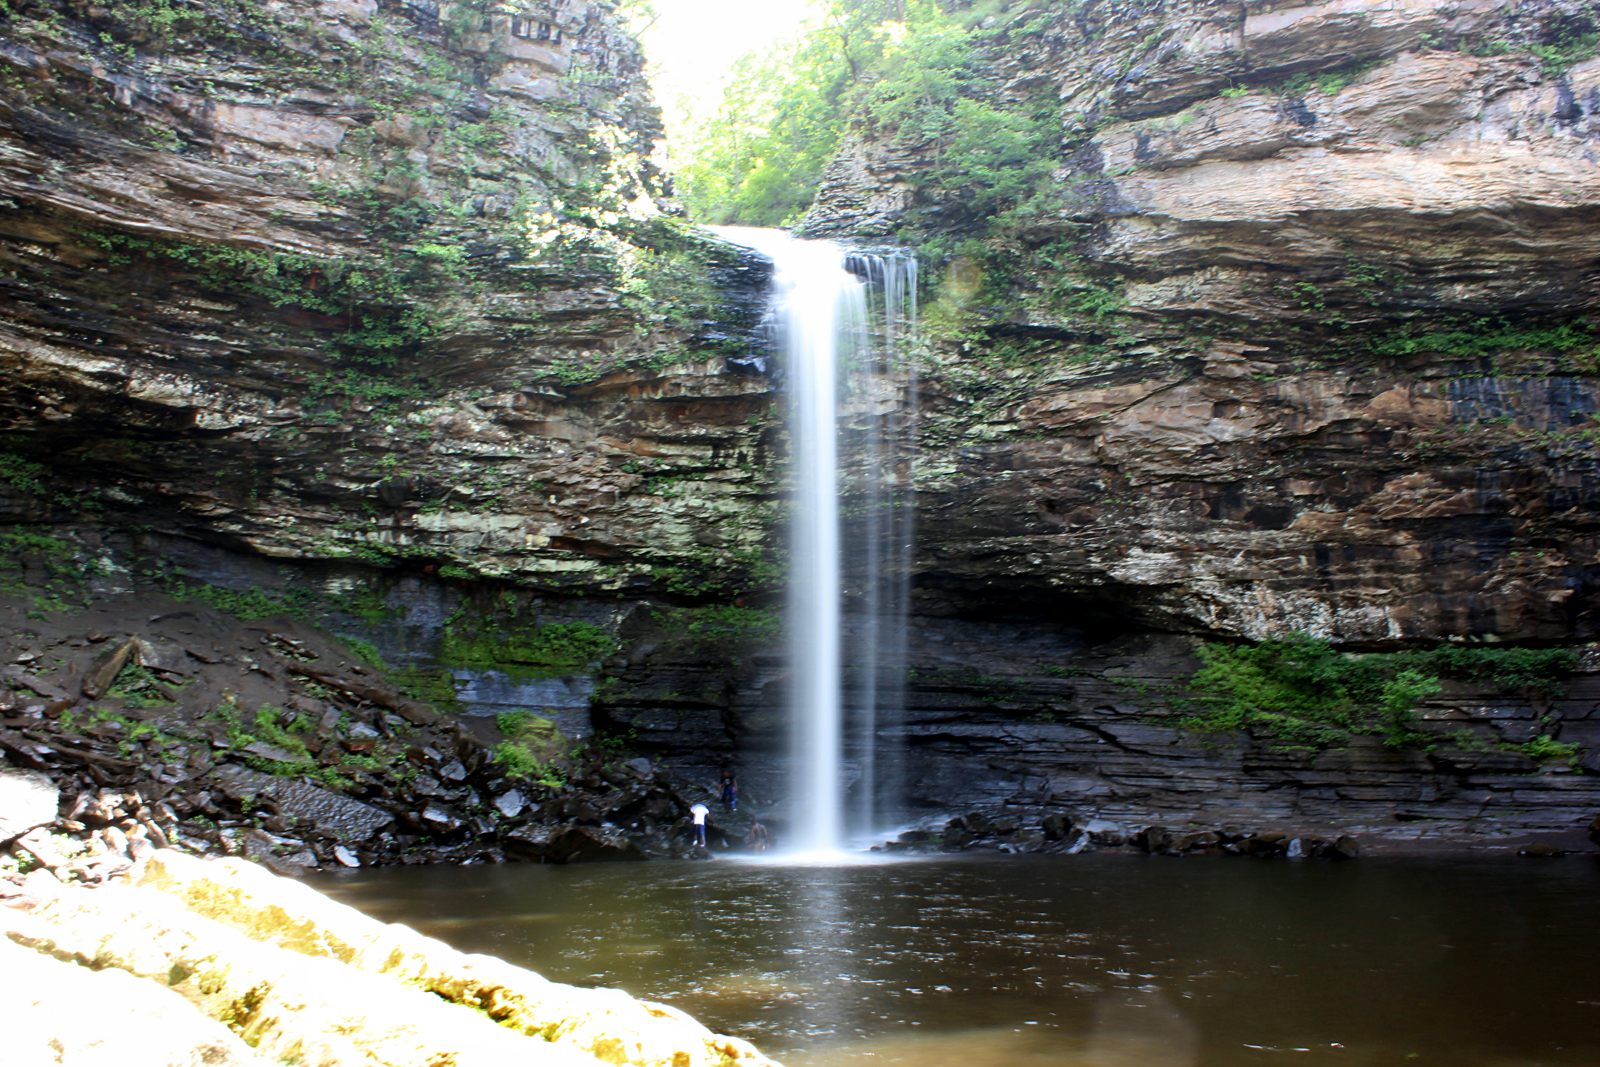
{"x": 1300, "y": 693}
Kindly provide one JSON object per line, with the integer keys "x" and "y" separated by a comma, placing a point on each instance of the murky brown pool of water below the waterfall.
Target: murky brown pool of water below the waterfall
{"x": 1092, "y": 961}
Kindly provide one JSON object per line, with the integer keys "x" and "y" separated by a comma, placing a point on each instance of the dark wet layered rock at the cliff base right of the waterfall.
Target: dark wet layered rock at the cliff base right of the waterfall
{"x": 1026, "y": 722}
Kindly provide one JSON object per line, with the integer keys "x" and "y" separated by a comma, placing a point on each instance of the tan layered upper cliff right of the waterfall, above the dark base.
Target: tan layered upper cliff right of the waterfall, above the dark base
{"x": 1306, "y": 337}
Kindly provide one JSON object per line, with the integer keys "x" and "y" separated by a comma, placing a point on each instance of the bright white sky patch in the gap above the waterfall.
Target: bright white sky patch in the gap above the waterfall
{"x": 694, "y": 44}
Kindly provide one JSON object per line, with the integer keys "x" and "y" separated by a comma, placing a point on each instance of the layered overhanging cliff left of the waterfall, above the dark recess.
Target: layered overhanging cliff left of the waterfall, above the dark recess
{"x": 382, "y": 282}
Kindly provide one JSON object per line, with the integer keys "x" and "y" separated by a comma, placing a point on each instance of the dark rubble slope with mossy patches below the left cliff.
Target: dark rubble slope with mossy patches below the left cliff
{"x": 276, "y": 741}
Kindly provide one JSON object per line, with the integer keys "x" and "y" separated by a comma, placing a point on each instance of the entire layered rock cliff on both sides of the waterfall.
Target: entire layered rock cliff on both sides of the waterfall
{"x": 382, "y": 303}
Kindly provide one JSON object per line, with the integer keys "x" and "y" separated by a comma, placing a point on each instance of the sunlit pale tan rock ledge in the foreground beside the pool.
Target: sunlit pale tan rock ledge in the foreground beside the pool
{"x": 300, "y": 980}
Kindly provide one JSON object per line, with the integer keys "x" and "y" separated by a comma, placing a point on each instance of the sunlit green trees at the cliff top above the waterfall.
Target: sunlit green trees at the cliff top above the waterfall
{"x": 900, "y": 71}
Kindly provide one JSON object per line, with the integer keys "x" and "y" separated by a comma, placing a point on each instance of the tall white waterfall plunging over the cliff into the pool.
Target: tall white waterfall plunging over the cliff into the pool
{"x": 841, "y": 321}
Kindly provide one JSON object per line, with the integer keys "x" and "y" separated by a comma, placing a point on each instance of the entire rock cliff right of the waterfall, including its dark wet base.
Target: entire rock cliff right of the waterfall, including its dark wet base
{"x": 1300, "y": 335}
